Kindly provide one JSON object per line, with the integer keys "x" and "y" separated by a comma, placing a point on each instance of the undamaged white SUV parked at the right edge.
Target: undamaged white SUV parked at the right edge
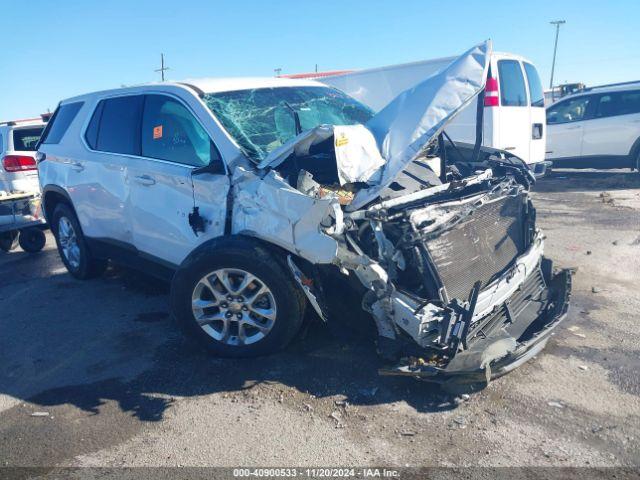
{"x": 596, "y": 128}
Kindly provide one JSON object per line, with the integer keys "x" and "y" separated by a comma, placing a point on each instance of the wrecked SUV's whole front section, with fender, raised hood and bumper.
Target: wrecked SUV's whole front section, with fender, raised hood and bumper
{"x": 441, "y": 236}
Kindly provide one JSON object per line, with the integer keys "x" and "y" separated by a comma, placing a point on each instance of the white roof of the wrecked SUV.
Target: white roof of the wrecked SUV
{"x": 205, "y": 85}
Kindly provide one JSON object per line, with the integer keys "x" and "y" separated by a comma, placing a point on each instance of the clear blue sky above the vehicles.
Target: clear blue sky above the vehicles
{"x": 57, "y": 49}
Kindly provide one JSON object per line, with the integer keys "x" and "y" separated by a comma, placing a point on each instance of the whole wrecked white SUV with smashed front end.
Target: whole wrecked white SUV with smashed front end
{"x": 258, "y": 197}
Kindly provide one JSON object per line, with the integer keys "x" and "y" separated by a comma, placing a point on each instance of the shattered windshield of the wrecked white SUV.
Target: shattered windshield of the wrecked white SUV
{"x": 262, "y": 119}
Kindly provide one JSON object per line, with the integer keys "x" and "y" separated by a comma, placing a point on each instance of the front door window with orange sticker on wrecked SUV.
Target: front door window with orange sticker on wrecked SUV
{"x": 171, "y": 132}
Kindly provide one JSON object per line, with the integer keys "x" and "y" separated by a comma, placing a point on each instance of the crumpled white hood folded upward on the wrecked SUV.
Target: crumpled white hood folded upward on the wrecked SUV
{"x": 408, "y": 123}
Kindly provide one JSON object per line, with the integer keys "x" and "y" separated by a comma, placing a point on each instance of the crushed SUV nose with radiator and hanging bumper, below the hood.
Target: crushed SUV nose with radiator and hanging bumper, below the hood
{"x": 468, "y": 294}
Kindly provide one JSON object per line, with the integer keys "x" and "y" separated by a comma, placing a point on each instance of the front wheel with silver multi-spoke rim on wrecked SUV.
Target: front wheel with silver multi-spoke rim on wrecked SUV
{"x": 237, "y": 300}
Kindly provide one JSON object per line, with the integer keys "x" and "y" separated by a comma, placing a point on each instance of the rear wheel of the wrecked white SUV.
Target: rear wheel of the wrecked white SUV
{"x": 72, "y": 246}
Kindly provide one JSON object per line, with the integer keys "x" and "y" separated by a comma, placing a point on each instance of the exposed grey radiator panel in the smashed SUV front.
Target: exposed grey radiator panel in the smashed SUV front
{"x": 480, "y": 247}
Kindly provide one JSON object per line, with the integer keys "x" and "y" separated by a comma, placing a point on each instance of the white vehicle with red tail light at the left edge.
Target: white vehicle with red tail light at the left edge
{"x": 18, "y": 140}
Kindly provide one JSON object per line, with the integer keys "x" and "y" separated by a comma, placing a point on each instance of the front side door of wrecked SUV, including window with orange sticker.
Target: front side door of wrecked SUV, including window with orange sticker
{"x": 165, "y": 184}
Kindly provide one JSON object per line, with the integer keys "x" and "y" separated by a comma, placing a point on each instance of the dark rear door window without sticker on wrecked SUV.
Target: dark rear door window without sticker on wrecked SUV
{"x": 119, "y": 127}
